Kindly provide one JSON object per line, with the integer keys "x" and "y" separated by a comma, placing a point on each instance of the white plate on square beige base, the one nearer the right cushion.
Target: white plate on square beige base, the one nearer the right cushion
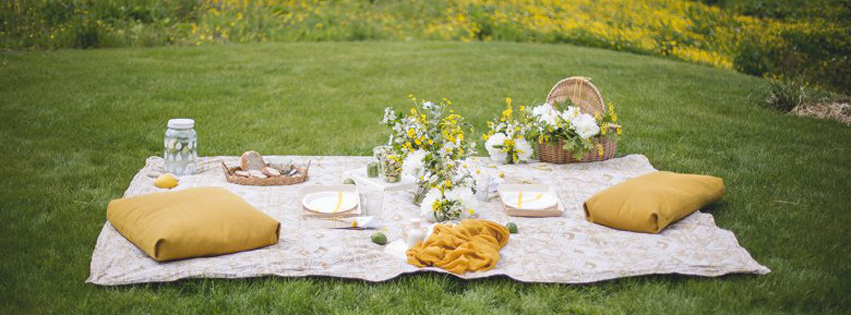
{"x": 530, "y": 200}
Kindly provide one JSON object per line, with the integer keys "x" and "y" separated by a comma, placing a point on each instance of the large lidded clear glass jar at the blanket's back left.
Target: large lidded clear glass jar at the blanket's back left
{"x": 181, "y": 147}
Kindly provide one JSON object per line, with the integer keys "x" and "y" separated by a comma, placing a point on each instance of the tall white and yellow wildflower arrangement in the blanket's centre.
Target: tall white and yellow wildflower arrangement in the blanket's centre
{"x": 431, "y": 139}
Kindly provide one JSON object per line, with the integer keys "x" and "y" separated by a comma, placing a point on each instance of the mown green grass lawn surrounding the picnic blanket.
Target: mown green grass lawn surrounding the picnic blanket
{"x": 76, "y": 126}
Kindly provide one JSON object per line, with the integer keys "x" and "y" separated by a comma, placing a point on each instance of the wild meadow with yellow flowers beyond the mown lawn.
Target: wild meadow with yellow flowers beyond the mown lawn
{"x": 784, "y": 38}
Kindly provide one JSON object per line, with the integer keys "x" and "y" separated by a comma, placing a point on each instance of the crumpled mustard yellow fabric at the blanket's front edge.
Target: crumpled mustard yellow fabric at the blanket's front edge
{"x": 472, "y": 245}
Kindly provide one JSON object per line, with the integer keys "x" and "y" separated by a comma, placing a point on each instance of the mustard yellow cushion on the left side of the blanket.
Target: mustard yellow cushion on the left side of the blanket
{"x": 192, "y": 222}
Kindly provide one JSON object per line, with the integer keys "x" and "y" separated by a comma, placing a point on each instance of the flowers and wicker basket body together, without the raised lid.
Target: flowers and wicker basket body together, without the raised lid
{"x": 584, "y": 136}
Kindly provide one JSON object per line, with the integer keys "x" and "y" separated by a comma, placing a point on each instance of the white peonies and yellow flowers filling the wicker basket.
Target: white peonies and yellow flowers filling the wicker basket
{"x": 577, "y": 130}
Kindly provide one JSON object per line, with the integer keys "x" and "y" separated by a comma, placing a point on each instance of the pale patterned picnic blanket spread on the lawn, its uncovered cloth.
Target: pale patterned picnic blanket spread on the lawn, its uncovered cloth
{"x": 567, "y": 249}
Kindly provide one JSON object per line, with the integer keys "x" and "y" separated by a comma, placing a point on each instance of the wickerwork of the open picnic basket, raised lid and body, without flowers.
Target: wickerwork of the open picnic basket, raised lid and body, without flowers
{"x": 585, "y": 95}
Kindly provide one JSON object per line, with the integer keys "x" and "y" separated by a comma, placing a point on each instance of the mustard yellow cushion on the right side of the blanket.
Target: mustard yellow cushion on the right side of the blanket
{"x": 648, "y": 203}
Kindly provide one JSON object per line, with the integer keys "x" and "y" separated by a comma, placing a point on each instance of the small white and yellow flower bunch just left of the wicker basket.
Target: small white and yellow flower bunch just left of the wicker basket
{"x": 506, "y": 142}
